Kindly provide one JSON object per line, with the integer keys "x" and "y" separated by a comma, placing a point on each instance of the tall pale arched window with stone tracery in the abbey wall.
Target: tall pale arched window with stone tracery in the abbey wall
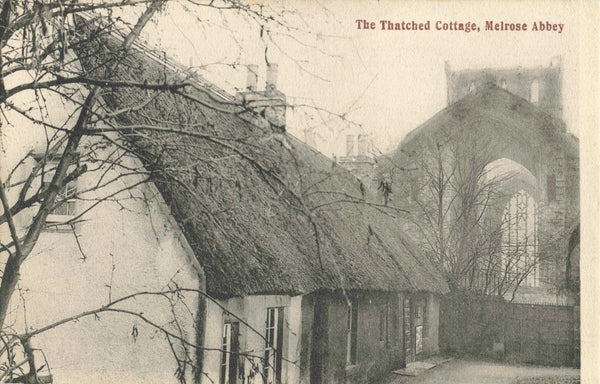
{"x": 519, "y": 240}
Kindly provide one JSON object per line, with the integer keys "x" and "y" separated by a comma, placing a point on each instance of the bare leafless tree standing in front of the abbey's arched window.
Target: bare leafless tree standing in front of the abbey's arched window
{"x": 458, "y": 209}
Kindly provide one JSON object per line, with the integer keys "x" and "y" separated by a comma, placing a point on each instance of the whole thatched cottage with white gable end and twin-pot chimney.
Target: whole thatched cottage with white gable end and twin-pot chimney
{"x": 304, "y": 276}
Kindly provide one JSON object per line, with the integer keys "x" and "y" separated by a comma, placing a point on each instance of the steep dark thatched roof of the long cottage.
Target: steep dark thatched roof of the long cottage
{"x": 264, "y": 213}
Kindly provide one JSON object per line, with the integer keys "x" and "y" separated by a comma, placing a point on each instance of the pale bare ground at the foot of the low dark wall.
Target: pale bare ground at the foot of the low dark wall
{"x": 460, "y": 371}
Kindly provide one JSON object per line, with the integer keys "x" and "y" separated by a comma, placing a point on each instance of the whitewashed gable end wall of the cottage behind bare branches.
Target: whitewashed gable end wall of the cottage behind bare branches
{"x": 126, "y": 245}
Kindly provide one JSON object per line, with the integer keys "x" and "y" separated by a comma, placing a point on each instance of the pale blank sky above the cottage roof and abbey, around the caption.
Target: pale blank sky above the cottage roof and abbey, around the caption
{"x": 383, "y": 83}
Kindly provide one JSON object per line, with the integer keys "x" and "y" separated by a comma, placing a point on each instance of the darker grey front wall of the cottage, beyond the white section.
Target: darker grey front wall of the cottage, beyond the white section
{"x": 326, "y": 333}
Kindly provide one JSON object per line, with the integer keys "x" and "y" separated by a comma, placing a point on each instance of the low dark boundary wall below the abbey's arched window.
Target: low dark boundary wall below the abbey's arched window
{"x": 538, "y": 334}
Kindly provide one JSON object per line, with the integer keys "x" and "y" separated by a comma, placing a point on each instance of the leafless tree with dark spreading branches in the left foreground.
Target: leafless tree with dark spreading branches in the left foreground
{"x": 119, "y": 127}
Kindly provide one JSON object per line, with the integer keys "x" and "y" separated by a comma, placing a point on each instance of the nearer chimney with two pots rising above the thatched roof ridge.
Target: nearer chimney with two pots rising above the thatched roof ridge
{"x": 270, "y": 103}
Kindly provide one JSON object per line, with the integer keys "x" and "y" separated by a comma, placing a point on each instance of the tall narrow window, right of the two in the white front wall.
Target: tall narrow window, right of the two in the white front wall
{"x": 273, "y": 346}
